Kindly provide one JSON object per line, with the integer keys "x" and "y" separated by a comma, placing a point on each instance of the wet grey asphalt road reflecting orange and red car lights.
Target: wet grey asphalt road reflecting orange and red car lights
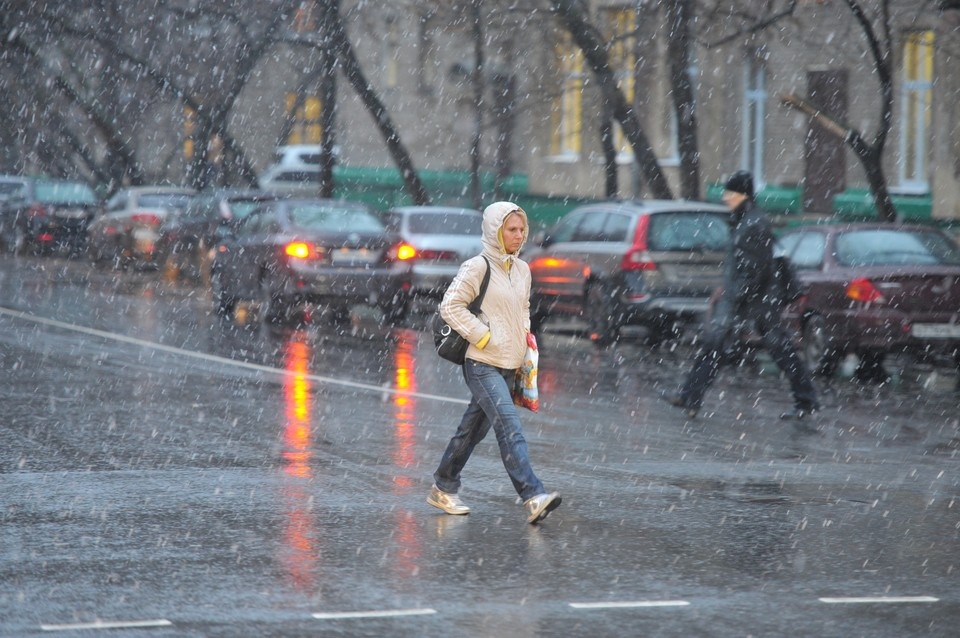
{"x": 166, "y": 473}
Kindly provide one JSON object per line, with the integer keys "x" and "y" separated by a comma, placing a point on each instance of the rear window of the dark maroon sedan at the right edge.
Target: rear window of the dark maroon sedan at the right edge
{"x": 895, "y": 248}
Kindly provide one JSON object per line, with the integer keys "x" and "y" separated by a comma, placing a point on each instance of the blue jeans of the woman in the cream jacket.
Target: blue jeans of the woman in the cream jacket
{"x": 491, "y": 404}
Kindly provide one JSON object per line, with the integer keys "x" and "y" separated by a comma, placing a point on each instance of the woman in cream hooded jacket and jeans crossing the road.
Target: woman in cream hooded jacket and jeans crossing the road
{"x": 498, "y": 342}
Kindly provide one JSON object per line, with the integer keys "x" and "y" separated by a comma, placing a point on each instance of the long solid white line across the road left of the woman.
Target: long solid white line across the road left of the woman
{"x": 224, "y": 360}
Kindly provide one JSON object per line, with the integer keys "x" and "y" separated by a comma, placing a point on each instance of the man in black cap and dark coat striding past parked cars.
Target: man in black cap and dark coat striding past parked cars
{"x": 749, "y": 297}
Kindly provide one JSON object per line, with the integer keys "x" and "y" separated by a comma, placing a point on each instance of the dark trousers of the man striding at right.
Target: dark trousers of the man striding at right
{"x": 777, "y": 342}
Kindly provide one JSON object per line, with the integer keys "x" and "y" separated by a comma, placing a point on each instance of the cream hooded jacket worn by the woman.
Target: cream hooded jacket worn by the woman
{"x": 505, "y": 312}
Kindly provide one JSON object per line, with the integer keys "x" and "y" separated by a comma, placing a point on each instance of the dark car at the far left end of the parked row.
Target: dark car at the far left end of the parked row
{"x": 44, "y": 215}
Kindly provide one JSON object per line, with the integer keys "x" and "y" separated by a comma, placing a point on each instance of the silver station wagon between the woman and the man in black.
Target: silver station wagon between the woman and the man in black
{"x": 652, "y": 263}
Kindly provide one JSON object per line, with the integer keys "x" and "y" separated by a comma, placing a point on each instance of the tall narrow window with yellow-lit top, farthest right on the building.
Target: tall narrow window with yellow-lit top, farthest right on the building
{"x": 915, "y": 109}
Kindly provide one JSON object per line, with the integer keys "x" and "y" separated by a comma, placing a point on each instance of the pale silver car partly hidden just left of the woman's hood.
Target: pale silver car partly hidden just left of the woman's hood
{"x": 442, "y": 237}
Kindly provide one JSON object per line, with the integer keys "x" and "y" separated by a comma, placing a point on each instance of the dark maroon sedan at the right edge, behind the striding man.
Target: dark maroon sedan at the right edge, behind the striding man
{"x": 874, "y": 289}
